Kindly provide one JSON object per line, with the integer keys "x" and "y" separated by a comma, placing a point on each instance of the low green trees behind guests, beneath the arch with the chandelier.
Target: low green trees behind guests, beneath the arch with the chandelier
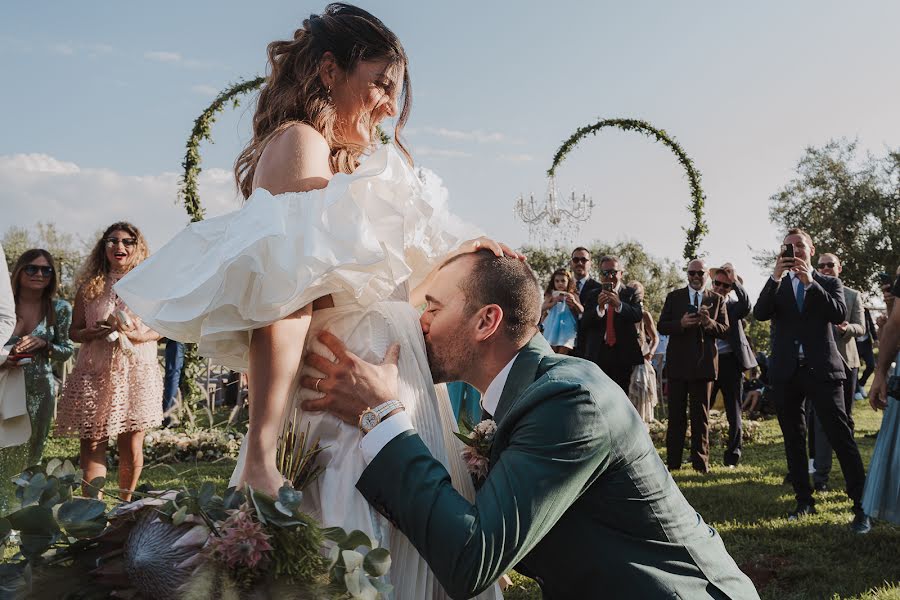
{"x": 659, "y": 276}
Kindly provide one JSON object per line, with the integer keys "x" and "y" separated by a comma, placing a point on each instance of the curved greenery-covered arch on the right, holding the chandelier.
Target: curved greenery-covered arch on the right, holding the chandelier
{"x": 698, "y": 228}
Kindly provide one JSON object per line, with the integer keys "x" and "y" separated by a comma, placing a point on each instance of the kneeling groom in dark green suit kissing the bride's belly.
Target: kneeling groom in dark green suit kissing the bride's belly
{"x": 576, "y": 496}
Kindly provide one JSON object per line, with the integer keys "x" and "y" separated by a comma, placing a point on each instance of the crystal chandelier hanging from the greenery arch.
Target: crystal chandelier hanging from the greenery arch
{"x": 558, "y": 220}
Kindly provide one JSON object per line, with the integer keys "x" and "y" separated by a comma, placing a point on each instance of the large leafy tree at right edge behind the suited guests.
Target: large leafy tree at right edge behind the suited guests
{"x": 850, "y": 206}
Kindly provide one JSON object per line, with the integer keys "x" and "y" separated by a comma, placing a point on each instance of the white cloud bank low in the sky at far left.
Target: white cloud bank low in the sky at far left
{"x": 81, "y": 200}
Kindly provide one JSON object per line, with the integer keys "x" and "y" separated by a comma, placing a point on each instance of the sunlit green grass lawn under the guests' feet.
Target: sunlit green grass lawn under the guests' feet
{"x": 815, "y": 558}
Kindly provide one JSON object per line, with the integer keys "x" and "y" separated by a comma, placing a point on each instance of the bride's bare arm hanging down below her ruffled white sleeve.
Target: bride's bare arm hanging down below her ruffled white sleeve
{"x": 275, "y": 352}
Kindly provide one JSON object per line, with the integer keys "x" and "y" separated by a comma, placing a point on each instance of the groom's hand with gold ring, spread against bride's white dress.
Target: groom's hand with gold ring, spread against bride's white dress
{"x": 350, "y": 385}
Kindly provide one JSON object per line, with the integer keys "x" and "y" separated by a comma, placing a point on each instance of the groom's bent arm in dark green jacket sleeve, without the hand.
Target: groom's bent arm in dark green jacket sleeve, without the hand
{"x": 556, "y": 450}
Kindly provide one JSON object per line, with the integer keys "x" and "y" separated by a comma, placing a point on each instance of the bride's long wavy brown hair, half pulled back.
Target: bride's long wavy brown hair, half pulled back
{"x": 293, "y": 91}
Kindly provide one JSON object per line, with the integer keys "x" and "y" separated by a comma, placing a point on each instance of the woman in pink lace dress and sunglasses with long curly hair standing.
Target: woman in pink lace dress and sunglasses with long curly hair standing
{"x": 115, "y": 389}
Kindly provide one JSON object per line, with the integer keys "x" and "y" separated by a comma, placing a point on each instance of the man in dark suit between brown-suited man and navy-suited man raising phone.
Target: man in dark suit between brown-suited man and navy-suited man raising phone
{"x": 735, "y": 355}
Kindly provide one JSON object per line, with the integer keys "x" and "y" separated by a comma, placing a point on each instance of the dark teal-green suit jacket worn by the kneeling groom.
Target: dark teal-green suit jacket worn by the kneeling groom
{"x": 576, "y": 498}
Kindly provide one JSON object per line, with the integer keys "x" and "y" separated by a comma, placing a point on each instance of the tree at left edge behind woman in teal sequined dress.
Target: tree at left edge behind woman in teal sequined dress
{"x": 67, "y": 252}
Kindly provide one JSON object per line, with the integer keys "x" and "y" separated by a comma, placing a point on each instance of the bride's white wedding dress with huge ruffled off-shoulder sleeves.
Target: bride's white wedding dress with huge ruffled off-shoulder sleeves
{"x": 365, "y": 239}
